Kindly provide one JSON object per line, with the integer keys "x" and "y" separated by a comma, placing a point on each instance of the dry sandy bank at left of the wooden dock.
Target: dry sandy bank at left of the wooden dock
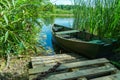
{"x": 17, "y": 70}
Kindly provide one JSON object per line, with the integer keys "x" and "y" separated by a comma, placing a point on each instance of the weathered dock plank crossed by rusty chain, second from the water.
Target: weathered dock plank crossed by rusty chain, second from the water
{"x": 72, "y": 65}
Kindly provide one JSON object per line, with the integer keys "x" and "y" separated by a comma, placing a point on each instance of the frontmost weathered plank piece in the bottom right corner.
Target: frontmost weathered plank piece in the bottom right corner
{"x": 110, "y": 77}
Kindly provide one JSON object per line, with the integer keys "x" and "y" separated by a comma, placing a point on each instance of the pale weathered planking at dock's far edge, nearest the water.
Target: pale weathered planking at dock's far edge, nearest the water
{"x": 42, "y": 60}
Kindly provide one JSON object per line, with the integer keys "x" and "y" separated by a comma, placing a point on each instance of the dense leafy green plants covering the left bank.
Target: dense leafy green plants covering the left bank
{"x": 18, "y": 30}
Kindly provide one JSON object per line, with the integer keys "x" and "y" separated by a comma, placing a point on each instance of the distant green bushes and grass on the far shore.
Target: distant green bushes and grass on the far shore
{"x": 56, "y": 10}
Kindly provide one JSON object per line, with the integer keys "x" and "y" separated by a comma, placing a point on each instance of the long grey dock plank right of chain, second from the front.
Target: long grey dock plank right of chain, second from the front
{"x": 81, "y": 73}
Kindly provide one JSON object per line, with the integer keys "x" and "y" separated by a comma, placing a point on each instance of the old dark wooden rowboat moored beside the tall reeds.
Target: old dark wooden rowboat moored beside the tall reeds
{"x": 82, "y": 42}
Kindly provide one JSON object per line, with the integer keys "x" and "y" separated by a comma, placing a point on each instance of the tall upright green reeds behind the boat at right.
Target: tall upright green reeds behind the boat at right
{"x": 101, "y": 17}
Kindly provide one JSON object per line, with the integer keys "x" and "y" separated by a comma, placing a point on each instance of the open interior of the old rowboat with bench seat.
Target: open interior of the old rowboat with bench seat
{"x": 77, "y": 35}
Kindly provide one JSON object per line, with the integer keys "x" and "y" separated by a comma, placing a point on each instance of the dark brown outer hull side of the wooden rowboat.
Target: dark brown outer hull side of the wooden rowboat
{"x": 89, "y": 50}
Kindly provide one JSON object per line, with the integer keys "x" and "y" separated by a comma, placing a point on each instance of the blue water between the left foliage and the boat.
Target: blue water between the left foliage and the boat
{"x": 46, "y": 35}
